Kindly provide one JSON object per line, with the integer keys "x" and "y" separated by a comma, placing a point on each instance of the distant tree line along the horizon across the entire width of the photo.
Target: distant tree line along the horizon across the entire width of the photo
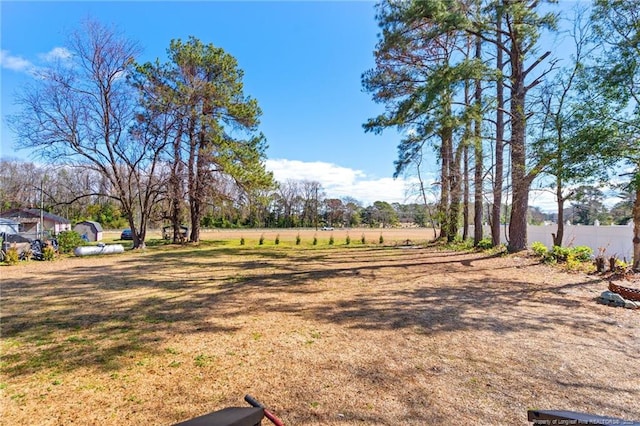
{"x": 291, "y": 204}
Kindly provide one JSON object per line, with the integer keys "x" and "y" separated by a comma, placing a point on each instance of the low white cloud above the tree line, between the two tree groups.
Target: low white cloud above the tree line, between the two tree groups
{"x": 340, "y": 182}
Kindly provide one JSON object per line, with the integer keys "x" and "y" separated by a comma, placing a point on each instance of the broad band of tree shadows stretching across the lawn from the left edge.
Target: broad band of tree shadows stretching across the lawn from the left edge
{"x": 106, "y": 313}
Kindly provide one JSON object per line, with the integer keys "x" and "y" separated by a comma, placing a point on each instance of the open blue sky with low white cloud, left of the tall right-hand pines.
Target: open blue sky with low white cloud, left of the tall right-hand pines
{"x": 302, "y": 62}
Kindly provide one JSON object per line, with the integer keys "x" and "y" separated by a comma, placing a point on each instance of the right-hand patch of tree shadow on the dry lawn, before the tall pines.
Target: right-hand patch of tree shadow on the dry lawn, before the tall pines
{"x": 470, "y": 306}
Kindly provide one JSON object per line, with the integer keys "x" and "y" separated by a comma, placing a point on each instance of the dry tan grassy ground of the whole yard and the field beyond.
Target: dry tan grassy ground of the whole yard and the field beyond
{"x": 388, "y": 334}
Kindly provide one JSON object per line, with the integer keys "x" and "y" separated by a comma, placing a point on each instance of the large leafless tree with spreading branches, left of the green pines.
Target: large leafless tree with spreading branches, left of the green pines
{"x": 80, "y": 113}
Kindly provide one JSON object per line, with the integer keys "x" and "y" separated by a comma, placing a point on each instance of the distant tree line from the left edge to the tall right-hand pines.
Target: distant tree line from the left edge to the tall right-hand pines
{"x": 289, "y": 204}
